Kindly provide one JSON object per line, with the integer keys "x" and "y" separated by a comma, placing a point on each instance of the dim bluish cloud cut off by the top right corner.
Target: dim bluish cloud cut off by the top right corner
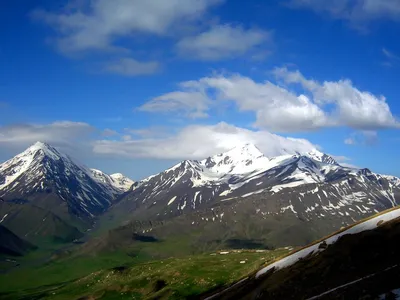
{"x": 354, "y": 11}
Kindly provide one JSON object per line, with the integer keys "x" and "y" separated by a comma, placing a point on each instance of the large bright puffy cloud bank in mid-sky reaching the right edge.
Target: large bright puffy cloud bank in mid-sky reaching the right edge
{"x": 278, "y": 108}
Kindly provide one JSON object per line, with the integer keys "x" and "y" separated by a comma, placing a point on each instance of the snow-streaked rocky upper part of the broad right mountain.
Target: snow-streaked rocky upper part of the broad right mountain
{"x": 308, "y": 185}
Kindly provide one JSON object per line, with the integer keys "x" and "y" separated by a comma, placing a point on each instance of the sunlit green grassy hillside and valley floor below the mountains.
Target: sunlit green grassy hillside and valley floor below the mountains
{"x": 123, "y": 278}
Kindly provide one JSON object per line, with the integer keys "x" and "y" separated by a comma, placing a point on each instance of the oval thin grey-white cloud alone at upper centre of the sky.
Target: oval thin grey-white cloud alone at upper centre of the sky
{"x": 223, "y": 42}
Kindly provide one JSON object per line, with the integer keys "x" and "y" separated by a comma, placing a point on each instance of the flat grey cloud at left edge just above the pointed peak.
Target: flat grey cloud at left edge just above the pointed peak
{"x": 62, "y": 133}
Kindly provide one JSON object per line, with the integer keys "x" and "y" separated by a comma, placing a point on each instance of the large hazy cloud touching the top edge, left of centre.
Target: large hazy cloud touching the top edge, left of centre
{"x": 98, "y": 24}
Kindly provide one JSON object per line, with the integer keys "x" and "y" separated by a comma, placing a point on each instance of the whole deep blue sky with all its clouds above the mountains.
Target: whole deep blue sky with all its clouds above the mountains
{"x": 131, "y": 86}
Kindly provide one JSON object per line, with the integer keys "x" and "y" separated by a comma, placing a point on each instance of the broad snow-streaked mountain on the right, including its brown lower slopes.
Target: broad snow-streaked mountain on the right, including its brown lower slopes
{"x": 243, "y": 197}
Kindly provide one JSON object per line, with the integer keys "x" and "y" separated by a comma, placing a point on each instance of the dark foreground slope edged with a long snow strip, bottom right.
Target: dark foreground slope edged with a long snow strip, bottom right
{"x": 359, "y": 262}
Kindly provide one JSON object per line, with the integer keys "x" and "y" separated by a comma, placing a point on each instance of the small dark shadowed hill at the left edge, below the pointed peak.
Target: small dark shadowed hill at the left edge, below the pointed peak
{"x": 12, "y": 245}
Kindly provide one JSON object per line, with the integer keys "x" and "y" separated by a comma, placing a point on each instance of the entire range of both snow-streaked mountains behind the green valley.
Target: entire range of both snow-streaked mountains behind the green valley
{"x": 239, "y": 198}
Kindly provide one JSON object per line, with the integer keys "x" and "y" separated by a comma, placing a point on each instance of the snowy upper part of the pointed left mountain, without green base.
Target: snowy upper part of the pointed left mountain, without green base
{"x": 42, "y": 169}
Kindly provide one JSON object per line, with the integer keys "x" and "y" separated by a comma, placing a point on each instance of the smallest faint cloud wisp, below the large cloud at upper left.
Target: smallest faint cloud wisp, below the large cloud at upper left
{"x": 131, "y": 67}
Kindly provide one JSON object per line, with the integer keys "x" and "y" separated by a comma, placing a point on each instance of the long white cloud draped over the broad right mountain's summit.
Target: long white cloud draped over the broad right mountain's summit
{"x": 197, "y": 142}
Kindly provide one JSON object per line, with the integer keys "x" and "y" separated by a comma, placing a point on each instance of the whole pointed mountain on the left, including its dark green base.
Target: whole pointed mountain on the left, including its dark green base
{"x": 49, "y": 190}
